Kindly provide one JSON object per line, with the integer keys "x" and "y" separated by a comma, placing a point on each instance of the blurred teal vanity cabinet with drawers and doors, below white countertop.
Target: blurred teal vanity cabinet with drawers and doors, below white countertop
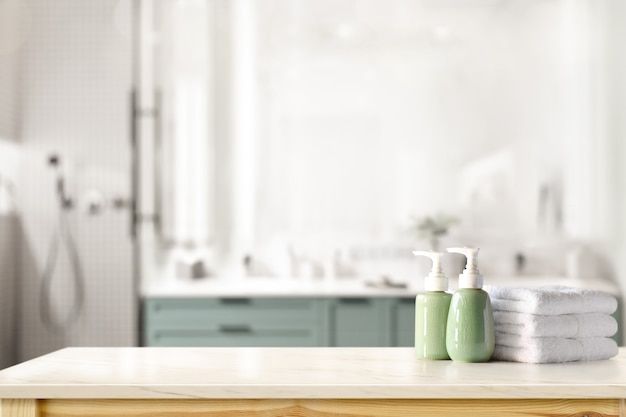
{"x": 258, "y": 321}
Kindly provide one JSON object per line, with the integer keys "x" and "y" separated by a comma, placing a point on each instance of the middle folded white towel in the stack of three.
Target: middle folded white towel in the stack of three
{"x": 563, "y": 325}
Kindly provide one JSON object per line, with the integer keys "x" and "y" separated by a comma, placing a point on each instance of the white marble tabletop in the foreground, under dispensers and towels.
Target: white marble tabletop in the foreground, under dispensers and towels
{"x": 238, "y": 373}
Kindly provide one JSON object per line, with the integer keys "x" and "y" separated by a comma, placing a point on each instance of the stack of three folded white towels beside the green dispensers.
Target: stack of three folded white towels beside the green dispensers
{"x": 553, "y": 324}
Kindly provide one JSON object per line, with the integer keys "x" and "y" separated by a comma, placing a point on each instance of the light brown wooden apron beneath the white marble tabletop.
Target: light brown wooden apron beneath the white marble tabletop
{"x": 326, "y": 408}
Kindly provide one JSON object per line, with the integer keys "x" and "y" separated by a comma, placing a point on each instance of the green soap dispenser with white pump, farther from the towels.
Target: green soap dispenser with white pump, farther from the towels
{"x": 431, "y": 312}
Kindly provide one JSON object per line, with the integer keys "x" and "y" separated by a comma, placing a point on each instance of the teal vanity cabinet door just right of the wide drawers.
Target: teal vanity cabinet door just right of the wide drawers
{"x": 359, "y": 322}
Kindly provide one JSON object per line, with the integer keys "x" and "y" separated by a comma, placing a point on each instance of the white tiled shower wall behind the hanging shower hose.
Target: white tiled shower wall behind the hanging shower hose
{"x": 76, "y": 82}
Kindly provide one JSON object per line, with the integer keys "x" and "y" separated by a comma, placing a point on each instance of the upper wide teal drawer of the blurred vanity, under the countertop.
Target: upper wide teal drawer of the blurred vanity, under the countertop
{"x": 207, "y": 313}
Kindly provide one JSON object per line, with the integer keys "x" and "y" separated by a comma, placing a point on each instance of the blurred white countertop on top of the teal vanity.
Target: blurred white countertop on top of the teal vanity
{"x": 281, "y": 287}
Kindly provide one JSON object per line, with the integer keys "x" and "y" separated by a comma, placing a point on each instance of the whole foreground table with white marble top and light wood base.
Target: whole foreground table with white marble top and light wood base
{"x": 315, "y": 382}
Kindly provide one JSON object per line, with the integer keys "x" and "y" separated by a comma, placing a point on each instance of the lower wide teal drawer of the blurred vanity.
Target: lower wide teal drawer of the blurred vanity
{"x": 233, "y": 336}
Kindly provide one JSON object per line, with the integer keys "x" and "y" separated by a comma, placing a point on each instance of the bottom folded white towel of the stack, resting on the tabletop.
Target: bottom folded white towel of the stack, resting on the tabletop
{"x": 552, "y": 349}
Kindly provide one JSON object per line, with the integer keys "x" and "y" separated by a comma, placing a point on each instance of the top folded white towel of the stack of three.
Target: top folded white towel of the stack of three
{"x": 551, "y": 300}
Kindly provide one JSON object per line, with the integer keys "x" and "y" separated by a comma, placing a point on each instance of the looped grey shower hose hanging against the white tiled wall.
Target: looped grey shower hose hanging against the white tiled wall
{"x": 62, "y": 236}
